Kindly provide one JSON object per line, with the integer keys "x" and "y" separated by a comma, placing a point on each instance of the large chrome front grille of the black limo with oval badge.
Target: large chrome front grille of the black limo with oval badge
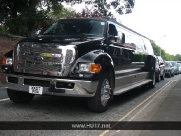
{"x": 42, "y": 58}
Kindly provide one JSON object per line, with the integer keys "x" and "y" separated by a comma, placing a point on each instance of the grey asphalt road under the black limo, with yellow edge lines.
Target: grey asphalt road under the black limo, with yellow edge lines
{"x": 136, "y": 105}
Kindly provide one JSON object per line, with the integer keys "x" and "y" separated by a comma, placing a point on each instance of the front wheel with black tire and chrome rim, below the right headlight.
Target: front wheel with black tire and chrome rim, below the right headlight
{"x": 99, "y": 103}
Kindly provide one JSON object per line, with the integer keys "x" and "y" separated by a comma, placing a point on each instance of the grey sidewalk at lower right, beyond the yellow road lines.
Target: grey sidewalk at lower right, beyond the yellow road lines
{"x": 170, "y": 110}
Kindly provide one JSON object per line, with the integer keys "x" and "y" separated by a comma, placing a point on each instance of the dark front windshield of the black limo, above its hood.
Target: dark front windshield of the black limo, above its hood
{"x": 93, "y": 28}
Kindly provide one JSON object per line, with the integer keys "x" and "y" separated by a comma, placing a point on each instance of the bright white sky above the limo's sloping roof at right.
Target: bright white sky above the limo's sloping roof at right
{"x": 159, "y": 20}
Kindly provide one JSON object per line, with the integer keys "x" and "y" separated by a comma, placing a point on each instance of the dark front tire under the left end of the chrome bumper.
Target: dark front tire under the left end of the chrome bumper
{"x": 19, "y": 97}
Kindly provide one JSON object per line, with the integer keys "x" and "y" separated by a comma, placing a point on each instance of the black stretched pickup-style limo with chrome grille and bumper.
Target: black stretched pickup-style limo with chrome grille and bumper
{"x": 90, "y": 57}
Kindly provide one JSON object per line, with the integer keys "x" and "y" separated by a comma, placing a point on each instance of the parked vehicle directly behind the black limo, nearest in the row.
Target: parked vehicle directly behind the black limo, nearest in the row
{"x": 160, "y": 69}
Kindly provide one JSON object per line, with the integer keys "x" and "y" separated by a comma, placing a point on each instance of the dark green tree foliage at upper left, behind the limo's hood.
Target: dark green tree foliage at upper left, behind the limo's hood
{"x": 24, "y": 17}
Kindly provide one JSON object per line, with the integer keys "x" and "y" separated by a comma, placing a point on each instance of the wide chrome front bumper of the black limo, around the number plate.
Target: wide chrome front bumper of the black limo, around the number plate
{"x": 81, "y": 88}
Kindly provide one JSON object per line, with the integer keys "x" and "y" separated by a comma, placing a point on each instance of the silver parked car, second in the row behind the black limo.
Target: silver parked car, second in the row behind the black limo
{"x": 169, "y": 69}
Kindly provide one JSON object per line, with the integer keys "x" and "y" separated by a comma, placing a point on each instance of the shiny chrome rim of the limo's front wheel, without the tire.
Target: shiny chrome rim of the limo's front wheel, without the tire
{"x": 105, "y": 92}
